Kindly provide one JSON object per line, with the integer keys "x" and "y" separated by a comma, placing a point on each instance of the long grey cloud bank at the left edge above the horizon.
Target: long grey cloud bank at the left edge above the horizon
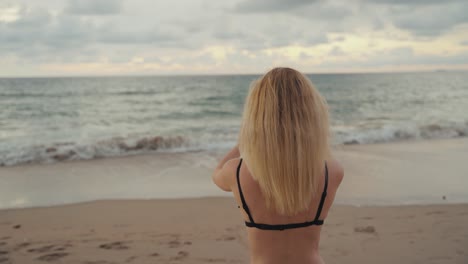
{"x": 38, "y": 33}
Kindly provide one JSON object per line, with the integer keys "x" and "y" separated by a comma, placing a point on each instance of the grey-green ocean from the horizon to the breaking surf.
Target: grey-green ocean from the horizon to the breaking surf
{"x": 45, "y": 120}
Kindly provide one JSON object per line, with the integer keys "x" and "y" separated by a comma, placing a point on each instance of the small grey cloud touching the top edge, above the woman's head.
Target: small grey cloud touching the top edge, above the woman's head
{"x": 258, "y": 6}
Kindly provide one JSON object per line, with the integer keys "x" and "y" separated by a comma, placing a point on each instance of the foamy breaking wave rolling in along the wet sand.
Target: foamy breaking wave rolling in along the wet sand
{"x": 220, "y": 139}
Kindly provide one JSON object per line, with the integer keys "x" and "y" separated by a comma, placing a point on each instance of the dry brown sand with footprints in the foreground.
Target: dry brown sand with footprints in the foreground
{"x": 210, "y": 230}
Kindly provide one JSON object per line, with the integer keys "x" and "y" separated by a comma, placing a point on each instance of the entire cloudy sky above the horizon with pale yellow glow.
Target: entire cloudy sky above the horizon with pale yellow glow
{"x": 128, "y": 37}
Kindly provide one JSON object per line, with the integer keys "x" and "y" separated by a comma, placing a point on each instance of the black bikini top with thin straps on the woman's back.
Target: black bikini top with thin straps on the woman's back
{"x": 252, "y": 223}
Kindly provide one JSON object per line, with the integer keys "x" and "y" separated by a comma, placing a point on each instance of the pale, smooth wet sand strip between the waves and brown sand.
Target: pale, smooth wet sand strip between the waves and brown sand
{"x": 375, "y": 174}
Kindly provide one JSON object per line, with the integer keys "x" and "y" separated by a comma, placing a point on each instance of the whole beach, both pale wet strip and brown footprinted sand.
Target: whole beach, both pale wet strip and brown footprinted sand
{"x": 399, "y": 203}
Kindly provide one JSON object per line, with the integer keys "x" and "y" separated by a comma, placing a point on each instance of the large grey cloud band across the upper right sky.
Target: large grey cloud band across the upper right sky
{"x": 426, "y": 18}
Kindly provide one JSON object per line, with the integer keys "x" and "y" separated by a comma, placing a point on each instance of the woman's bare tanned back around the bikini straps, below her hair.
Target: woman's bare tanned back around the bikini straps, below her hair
{"x": 298, "y": 245}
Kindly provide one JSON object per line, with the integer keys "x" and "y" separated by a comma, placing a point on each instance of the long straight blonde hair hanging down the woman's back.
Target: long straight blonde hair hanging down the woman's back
{"x": 284, "y": 139}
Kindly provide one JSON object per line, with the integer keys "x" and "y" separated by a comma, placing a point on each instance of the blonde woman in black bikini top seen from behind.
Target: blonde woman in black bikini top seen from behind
{"x": 281, "y": 173}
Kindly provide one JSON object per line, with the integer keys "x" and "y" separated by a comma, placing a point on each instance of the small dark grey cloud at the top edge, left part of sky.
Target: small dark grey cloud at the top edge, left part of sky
{"x": 94, "y": 7}
